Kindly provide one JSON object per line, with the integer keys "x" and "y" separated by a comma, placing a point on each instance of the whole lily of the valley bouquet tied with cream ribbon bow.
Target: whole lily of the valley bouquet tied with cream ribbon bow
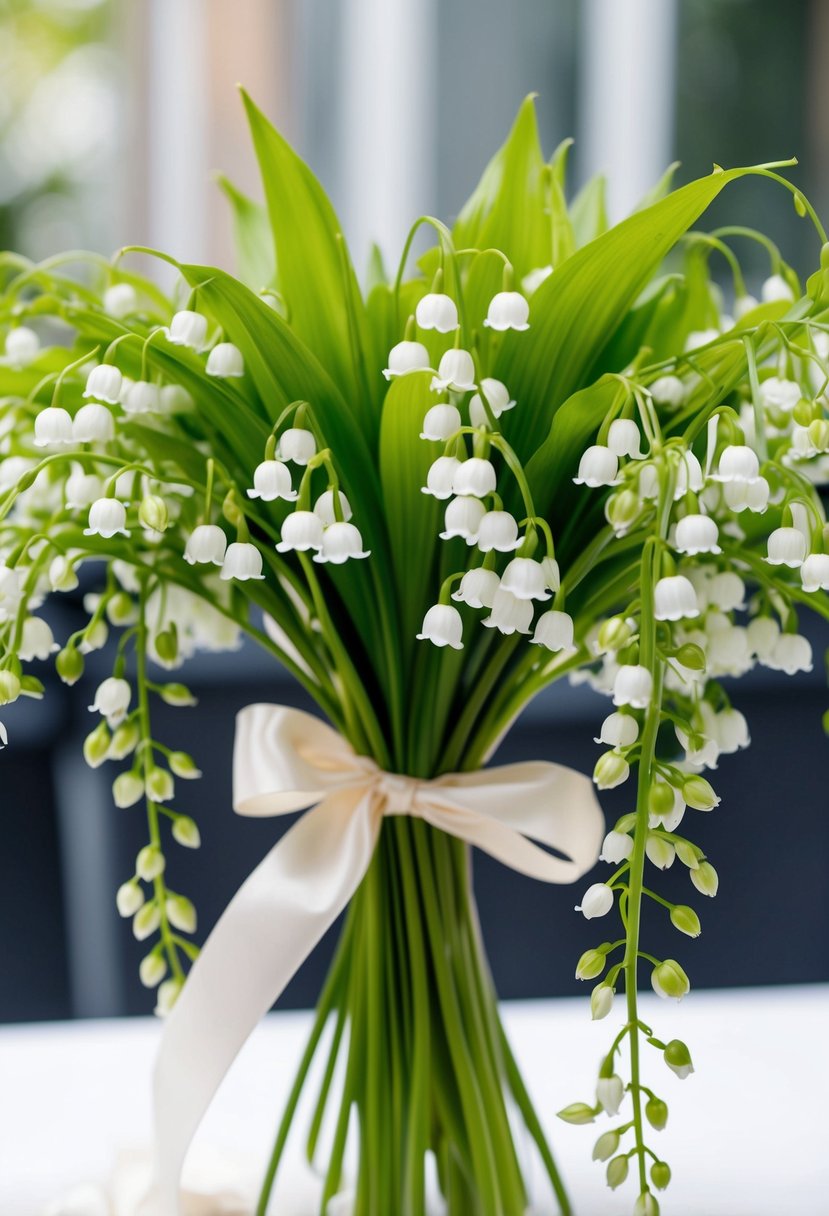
{"x": 542, "y": 453}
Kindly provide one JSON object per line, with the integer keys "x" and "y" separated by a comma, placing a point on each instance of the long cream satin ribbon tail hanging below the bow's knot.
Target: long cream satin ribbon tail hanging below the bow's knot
{"x": 267, "y": 932}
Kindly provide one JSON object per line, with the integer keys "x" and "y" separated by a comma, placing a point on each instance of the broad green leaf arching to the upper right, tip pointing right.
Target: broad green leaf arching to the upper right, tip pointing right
{"x": 578, "y": 309}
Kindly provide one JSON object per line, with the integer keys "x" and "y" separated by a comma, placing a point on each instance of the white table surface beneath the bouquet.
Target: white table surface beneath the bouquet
{"x": 747, "y": 1134}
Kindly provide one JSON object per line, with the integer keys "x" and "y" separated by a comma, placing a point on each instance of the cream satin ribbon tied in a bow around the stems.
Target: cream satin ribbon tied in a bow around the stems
{"x": 284, "y": 762}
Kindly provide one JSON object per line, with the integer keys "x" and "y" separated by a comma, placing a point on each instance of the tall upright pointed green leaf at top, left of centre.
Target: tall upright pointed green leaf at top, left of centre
{"x": 317, "y": 278}
